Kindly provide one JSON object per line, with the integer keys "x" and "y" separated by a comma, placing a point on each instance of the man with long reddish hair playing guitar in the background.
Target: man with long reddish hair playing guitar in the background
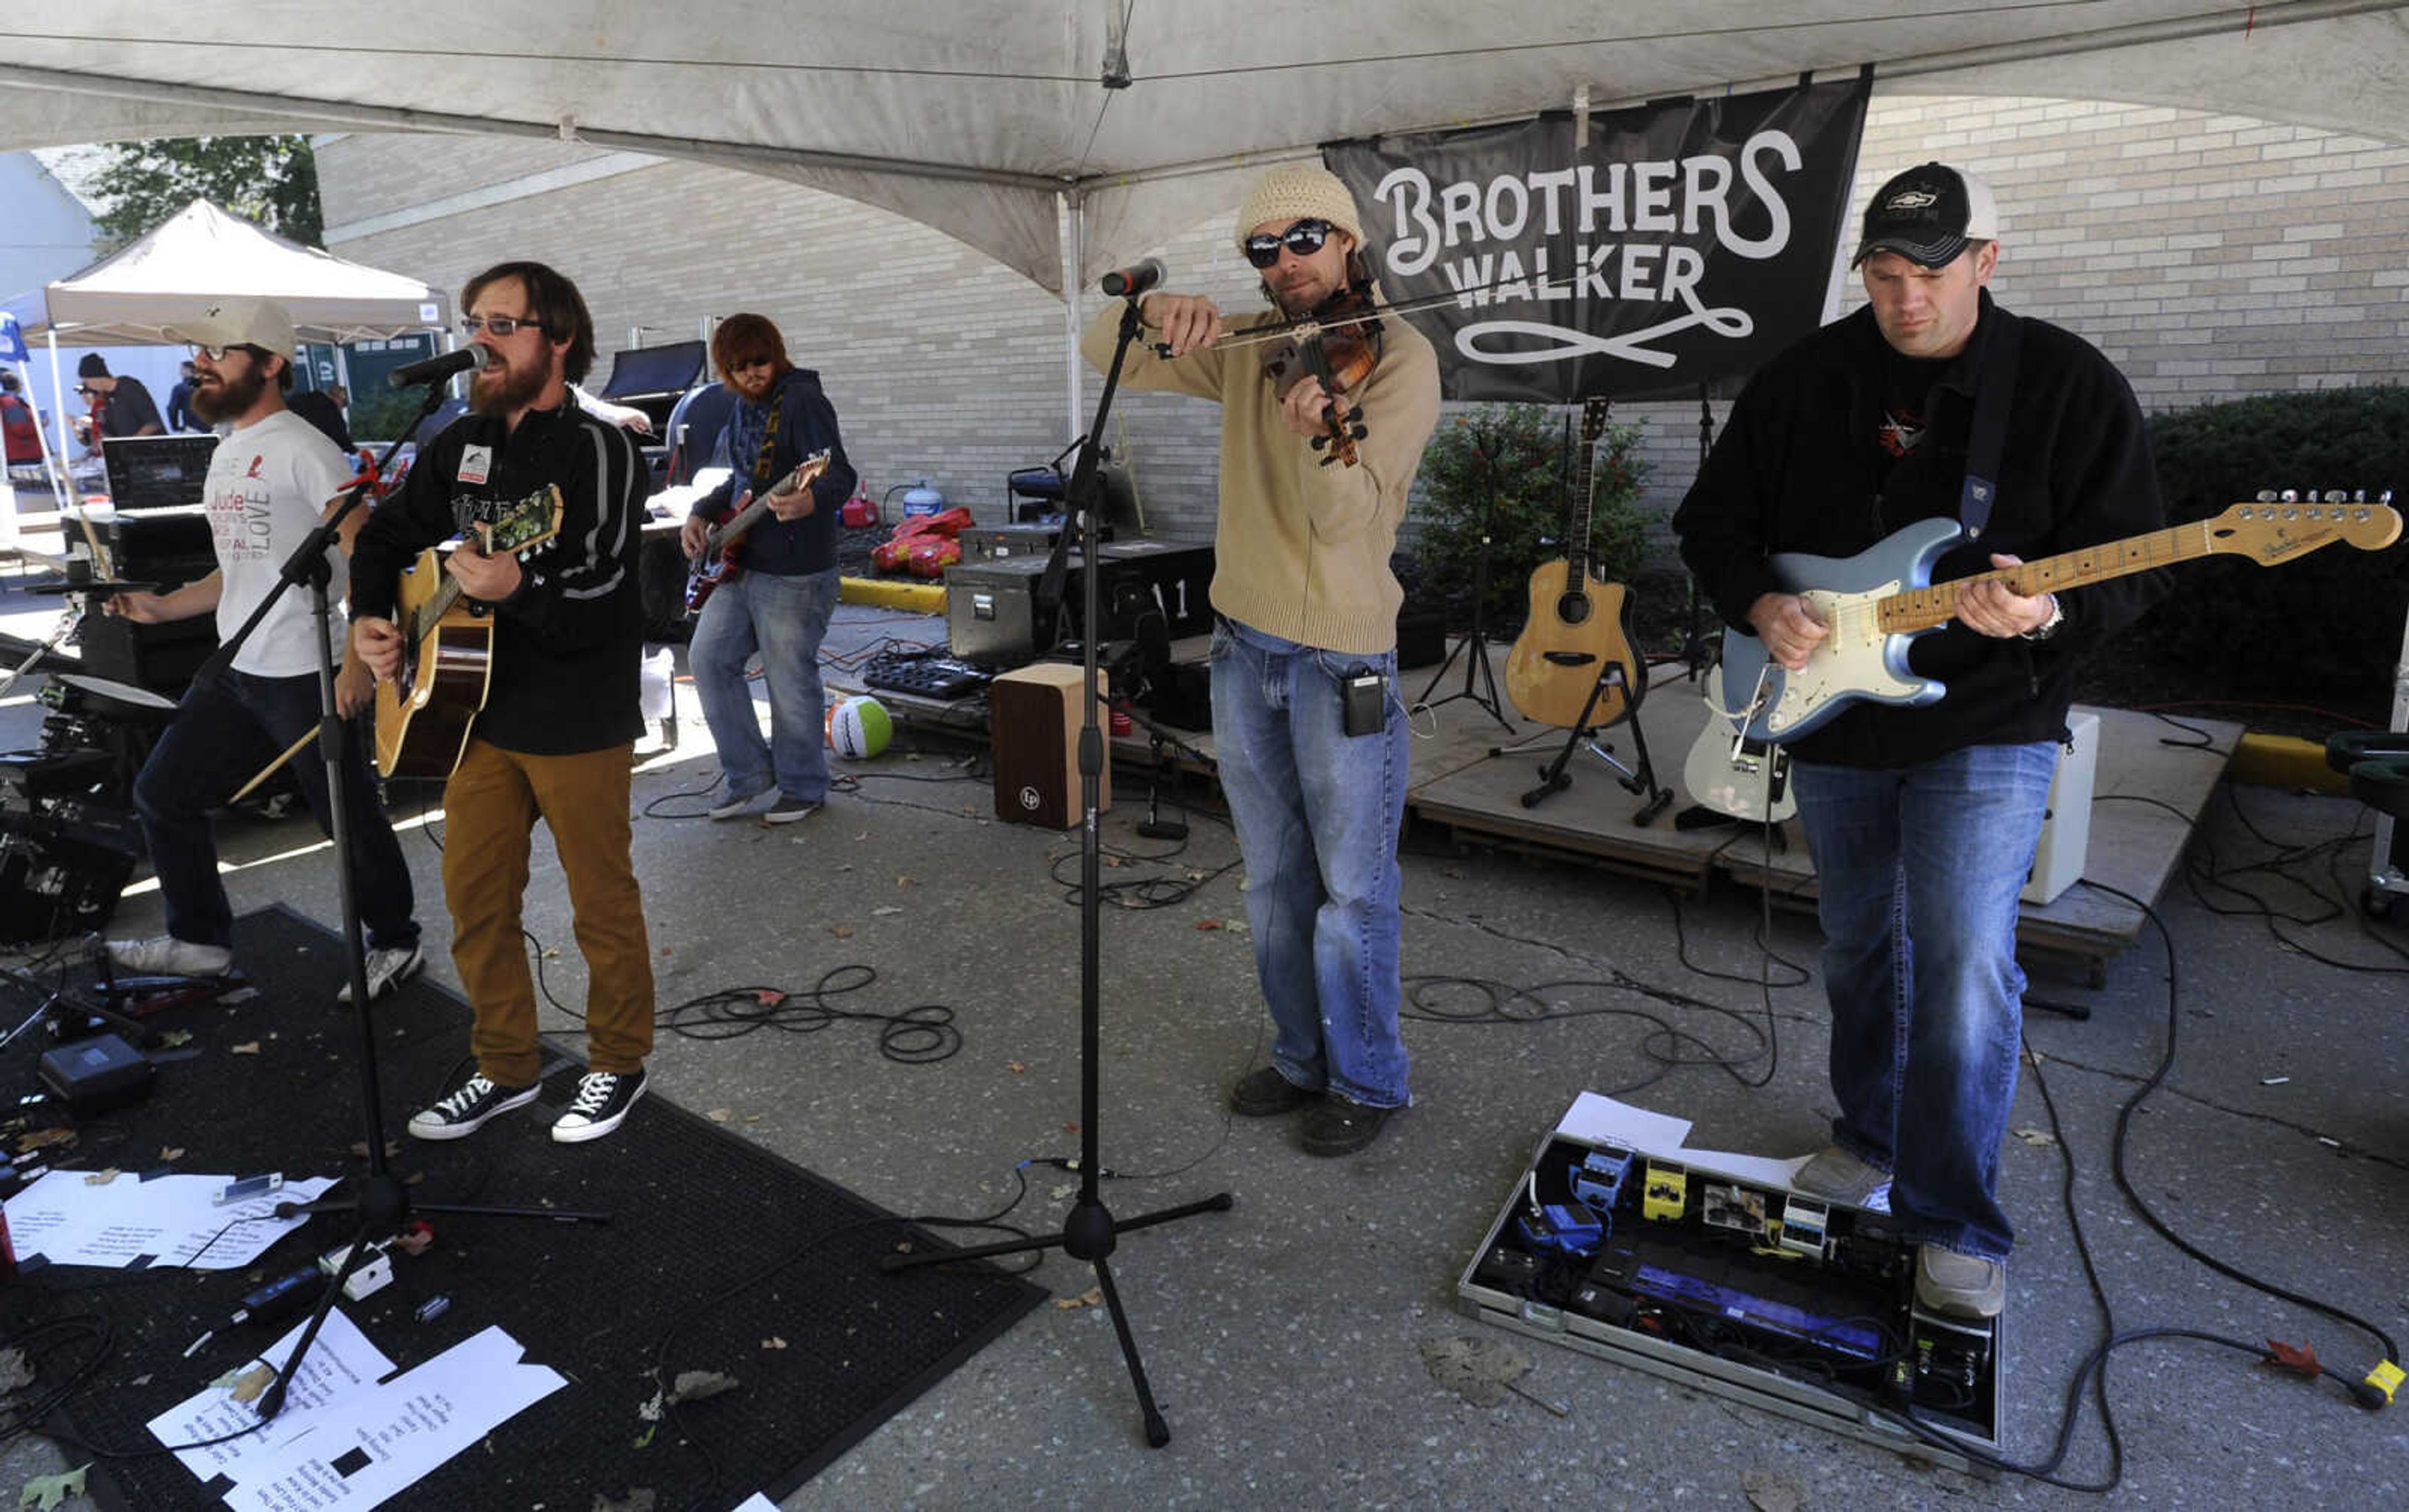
{"x": 784, "y": 593}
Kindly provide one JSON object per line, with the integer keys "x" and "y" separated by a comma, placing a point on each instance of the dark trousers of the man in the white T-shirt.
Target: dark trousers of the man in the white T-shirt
{"x": 220, "y": 738}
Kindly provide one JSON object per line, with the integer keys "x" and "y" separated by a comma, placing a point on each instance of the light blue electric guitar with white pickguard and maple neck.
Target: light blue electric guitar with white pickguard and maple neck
{"x": 1880, "y": 601}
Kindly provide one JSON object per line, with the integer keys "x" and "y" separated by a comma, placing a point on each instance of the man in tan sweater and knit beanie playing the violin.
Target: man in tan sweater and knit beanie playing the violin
{"x": 1304, "y": 658}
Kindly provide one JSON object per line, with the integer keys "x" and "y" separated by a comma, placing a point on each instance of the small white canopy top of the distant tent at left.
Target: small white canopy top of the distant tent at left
{"x": 206, "y": 254}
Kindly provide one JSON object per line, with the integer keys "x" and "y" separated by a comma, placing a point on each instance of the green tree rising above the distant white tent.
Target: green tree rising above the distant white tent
{"x": 271, "y": 182}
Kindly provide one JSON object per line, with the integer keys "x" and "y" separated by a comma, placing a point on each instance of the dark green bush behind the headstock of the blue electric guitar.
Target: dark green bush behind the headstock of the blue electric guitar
{"x": 2321, "y": 627}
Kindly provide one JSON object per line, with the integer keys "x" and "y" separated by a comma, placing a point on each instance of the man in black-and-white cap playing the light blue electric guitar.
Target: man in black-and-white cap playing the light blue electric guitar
{"x": 1931, "y": 403}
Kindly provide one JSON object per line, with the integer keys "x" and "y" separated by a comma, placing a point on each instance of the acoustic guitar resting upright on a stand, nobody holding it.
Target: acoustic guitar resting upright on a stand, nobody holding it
{"x": 1579, "y": 627}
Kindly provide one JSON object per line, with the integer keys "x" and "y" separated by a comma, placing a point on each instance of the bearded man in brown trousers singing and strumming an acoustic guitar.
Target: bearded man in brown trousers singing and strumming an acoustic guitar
{"x": 563, "y": 707}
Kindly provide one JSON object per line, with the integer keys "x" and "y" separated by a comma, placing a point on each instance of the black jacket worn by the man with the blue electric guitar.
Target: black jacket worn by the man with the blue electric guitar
{"x": 1798, "y": 468}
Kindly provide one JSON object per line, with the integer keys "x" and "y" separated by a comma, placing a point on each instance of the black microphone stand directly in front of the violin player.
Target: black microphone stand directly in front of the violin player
{"x": 1090, "y": 1232}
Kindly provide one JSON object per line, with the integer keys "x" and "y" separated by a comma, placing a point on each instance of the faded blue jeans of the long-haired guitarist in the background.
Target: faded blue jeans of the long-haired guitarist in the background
{"x": 784, "y": 620}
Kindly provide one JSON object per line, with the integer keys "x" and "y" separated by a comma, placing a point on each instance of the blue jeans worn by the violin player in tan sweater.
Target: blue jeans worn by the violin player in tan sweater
{"x": 1319, "y": 817}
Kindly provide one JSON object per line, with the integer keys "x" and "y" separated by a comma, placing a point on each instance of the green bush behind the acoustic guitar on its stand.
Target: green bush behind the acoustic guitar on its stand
{"x": 1529, "y": 528}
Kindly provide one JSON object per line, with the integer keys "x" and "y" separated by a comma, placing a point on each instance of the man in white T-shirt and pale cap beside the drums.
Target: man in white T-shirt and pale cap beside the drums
{"x": 271, "y": 483}
